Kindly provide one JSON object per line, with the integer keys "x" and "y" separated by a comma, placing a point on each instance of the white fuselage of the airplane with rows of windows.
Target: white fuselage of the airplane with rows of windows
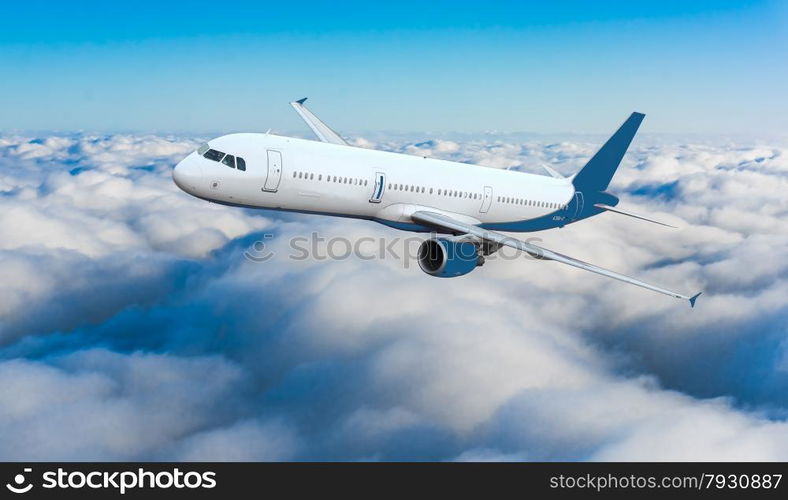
{"x": 285, "y": 173}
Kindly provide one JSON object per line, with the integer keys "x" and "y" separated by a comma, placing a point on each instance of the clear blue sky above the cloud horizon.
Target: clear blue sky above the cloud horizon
{"x": 699, "y": 67}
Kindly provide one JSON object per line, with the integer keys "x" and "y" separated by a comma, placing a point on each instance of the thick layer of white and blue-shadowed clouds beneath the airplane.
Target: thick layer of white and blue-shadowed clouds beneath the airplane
{"x": 132, "y": 326}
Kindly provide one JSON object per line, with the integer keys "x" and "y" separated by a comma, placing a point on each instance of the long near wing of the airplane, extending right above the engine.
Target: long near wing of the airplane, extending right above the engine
{"x": 443, "y": 222}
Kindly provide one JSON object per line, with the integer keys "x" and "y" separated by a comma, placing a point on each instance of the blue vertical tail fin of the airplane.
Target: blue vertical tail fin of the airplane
{"x": 597, "y": 173}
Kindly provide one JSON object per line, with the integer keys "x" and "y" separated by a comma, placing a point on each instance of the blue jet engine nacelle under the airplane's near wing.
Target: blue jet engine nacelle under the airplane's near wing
{"x": 446, "y": 258}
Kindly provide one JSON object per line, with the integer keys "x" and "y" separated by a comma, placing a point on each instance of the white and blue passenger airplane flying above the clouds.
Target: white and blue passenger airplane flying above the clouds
{"x": 464, "y": 206}
